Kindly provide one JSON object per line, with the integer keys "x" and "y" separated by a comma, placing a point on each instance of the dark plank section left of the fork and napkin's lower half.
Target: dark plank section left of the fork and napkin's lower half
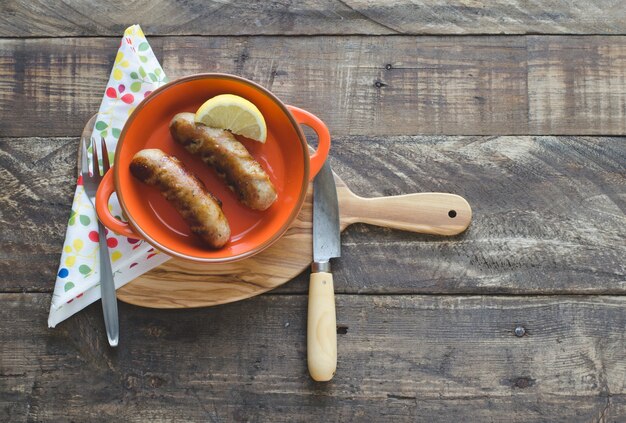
{"x": 38, "y": 177}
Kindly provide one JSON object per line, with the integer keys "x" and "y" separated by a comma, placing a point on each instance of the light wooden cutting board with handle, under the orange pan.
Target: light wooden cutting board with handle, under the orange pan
{"x": 181, "y": 284}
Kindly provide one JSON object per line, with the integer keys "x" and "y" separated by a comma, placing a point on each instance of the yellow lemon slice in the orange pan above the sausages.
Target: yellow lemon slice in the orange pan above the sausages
{"x": 238, "y": 115}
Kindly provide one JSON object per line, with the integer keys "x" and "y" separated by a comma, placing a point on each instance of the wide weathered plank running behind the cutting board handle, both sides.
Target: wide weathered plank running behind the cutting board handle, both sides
{"x": 549, "y": 214}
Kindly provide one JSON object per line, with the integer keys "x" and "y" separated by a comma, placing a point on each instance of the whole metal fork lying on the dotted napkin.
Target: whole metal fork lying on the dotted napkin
{"x": 91, "y": 180}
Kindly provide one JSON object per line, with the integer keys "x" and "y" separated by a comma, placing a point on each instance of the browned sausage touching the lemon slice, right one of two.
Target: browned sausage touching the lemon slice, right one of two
{"x": 232, "y": 162}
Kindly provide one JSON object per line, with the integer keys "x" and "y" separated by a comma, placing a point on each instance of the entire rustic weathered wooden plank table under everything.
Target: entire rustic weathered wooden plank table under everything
{"x": 518, "y": 106}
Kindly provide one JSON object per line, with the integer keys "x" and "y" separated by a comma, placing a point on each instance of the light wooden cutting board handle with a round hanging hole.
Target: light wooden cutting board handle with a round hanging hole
{"x": 428, "y": 213}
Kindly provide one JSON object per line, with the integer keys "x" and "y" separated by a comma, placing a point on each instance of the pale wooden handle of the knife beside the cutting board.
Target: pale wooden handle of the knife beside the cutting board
{"x": 321, "y": 327}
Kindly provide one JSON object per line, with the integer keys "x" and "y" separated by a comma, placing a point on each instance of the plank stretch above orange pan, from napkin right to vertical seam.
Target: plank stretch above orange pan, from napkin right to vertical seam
{"x": 382, "y": 86}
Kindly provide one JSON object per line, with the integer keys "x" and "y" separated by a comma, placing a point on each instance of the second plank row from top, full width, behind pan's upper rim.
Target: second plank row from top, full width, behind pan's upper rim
{"x": 357, "y": 85}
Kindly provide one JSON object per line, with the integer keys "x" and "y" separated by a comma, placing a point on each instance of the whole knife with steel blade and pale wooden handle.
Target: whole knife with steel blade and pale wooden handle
{"x": 321, "y": 321}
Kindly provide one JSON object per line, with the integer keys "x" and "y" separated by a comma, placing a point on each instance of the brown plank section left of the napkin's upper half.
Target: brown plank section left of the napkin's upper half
{"x": 52, "y": 85}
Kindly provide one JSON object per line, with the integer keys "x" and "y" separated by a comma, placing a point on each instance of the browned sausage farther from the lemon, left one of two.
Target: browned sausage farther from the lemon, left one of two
{"x": 200, "y": 209}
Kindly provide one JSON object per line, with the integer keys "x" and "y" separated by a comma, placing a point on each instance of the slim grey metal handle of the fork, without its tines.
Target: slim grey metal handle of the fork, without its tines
{"x": 107, "y": 289}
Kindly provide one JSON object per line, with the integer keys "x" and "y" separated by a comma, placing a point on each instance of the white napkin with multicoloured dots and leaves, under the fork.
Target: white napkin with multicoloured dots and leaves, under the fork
{"x": 136, "y": 73}
